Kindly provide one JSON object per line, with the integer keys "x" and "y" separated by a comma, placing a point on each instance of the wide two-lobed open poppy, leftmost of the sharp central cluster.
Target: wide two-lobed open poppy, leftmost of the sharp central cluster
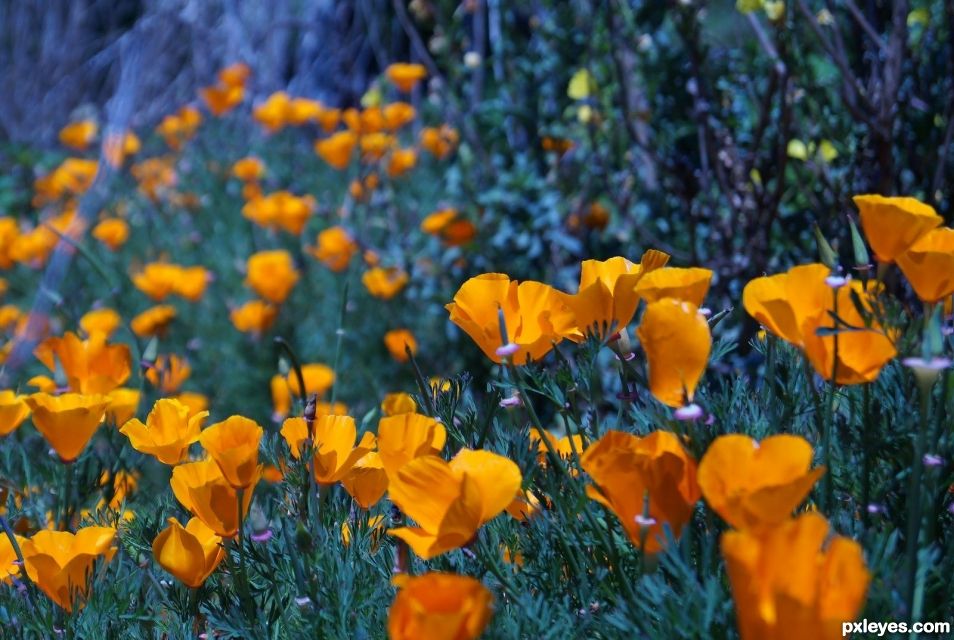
{"x": 536, "y": 315}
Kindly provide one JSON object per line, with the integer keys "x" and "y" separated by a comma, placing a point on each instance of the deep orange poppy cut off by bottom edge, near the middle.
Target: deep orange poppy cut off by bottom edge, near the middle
{"x": 440, "y": 606}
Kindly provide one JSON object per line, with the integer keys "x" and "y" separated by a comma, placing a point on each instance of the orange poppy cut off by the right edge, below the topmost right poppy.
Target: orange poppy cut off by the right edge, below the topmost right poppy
{"x": 929, "y": 265}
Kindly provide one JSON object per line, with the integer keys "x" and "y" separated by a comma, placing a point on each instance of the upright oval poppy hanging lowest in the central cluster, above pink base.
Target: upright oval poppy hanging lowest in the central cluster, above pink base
{"x": 677, "y": 342}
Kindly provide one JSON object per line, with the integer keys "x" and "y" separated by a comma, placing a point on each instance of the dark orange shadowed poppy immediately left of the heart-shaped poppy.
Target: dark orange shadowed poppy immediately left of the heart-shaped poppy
{"x": 628, "y": 471}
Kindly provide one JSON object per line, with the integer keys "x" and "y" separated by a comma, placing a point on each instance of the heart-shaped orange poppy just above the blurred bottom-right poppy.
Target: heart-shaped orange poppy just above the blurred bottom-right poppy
{"x": 754, "y": 485}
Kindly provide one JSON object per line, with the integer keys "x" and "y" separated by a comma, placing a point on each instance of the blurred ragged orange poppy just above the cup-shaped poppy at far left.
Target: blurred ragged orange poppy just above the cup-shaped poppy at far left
{"x": 91, "y": 365}
